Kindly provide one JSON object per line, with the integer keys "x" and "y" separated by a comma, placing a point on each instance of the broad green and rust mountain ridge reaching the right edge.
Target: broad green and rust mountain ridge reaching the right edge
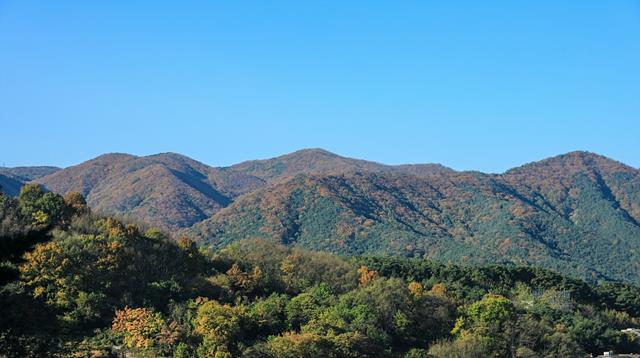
{"x": 577, "y": 213}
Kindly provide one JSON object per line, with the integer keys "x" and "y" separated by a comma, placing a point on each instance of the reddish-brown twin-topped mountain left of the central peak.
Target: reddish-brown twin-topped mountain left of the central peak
{"x": 166, "y": 190}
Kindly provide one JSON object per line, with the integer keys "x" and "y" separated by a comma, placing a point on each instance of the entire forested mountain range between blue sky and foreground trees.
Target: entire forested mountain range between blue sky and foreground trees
{"x": 578, "y": 213}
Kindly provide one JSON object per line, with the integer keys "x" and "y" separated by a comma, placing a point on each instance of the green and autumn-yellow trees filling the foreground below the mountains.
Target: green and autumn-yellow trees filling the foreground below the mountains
{"x": 81, "y": 285}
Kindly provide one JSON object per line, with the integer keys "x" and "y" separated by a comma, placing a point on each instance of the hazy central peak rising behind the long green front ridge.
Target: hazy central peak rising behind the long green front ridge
{"x": 322, "y": 162}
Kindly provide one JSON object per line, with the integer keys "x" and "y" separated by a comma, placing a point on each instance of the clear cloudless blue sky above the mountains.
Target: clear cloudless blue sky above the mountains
{"x": 470, "y": 84}
